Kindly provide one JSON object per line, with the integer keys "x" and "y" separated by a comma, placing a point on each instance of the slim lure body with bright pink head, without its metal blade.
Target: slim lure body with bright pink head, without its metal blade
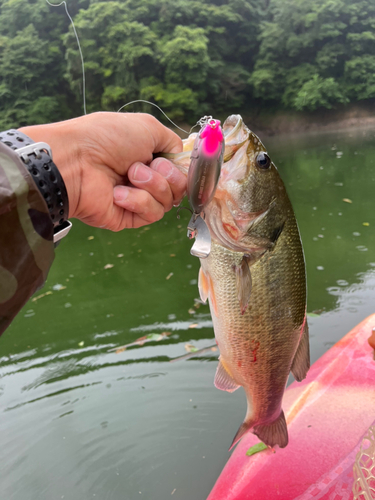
{"x": 205, "y": 165}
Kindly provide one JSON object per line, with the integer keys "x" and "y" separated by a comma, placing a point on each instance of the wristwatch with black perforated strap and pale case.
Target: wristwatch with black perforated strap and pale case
{"x": 37, "y": 157}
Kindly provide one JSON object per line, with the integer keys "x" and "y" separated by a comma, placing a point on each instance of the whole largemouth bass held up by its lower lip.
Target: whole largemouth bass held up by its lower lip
{"x": 254, "y": 280}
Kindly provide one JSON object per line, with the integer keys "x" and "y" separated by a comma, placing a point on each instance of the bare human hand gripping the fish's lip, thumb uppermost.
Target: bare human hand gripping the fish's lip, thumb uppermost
{"x": 106, "y": 162}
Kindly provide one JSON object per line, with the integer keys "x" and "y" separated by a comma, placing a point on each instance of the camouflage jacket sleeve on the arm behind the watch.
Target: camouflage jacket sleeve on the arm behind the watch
{"x": 26, "y": 236}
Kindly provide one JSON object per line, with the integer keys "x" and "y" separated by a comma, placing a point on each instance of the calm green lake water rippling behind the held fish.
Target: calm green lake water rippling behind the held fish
{"x": 79, "y": 422}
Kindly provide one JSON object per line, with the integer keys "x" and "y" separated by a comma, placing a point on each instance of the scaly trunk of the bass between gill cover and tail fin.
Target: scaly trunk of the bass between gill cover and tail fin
{"x": 257, "y": 347}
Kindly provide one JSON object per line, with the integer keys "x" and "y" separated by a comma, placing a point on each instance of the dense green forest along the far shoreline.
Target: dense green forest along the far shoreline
{"x": 190, "y": 57}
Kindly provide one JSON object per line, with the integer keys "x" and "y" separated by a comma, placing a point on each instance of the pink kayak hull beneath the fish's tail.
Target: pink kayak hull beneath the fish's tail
{"x": 328, "y": 415}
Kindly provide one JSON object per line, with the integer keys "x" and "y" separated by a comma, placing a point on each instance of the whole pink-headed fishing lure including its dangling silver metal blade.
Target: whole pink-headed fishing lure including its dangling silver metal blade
{"x": 204, "y": 172}
